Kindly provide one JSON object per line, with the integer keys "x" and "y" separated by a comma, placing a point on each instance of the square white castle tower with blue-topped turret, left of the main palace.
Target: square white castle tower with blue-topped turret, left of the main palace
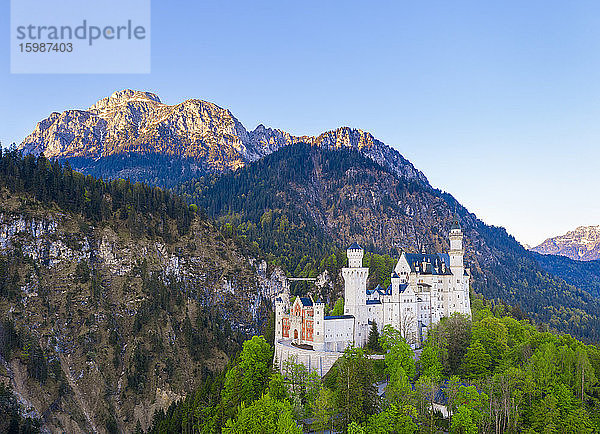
{"x": 355, "y": 292}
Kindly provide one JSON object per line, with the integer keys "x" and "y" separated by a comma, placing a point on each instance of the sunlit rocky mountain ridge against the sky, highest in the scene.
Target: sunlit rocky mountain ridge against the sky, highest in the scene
{"x": 132, "y": 134}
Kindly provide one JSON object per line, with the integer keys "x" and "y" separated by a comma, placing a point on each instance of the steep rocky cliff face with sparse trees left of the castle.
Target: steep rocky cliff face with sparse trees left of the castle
{"x": 125, "y": 325}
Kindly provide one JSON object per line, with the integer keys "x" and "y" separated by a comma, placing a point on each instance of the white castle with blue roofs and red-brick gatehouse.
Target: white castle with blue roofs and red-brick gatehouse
{"x": 424, "y": 288}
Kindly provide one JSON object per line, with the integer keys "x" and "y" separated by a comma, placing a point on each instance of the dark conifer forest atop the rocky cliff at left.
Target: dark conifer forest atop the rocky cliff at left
{"x": 144, "y": 209}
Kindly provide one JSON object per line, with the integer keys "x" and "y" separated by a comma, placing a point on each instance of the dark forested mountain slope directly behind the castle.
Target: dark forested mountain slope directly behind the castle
{"x": 304, "y": 201}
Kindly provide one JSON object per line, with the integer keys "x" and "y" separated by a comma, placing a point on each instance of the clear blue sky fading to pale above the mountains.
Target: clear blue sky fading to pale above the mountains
{"x": 496, "y": 102}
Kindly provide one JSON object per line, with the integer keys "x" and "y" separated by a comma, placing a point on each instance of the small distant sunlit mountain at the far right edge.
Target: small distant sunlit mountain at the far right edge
{"x": 582, "y": 244}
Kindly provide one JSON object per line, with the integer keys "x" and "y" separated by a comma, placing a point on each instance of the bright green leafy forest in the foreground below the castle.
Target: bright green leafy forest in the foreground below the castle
{"x": 493, "y": 373}
